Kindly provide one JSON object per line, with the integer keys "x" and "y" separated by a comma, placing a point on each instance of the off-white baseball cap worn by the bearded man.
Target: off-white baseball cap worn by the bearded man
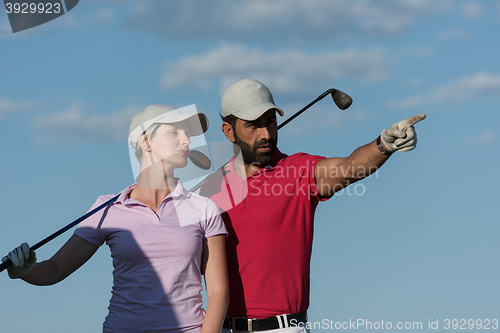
{"x": 248, "y": 99}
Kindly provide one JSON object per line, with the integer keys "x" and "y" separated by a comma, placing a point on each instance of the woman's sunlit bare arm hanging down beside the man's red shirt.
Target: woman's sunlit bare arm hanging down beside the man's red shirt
{"x": 215, "y": 270}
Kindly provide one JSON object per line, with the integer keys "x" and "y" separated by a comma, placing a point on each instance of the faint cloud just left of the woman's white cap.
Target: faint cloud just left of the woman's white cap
{"x": 75, "y": 125}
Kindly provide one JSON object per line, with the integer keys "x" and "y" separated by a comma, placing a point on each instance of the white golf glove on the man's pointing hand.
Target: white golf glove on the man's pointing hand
{"x": 401, "y": 136}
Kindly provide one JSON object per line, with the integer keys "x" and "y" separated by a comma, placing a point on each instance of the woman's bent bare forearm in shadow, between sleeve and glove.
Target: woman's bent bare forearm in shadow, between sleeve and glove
{"x": 68, "y": 259}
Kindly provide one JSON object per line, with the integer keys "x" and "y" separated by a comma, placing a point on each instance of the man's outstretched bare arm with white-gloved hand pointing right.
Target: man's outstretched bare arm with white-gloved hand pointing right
{"x": 333, "y": 174}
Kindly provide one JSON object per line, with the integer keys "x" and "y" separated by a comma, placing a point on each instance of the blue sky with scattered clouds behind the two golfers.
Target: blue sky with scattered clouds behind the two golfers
{"x": 418, "y": 241}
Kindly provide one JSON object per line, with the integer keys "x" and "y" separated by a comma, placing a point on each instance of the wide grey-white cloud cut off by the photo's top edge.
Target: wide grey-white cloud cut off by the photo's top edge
{"x": 290, "y": 20}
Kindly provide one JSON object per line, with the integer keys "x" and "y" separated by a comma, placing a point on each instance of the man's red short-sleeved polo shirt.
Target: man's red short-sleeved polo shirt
{"x": 269, "y": 217}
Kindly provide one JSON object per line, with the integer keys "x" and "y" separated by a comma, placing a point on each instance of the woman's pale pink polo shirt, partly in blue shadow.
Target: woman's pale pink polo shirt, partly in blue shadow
{"x": 156, "y": 259}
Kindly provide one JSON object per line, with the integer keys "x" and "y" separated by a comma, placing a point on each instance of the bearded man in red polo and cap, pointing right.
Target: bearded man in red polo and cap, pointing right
{"x": 269, "y": 199}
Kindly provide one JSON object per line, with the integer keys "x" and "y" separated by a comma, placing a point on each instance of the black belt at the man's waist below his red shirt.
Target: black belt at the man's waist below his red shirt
{"x": 271, "y": 323}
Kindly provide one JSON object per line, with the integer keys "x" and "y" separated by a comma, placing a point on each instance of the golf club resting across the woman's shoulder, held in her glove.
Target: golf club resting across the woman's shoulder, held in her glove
{"x": 198, "y": 158}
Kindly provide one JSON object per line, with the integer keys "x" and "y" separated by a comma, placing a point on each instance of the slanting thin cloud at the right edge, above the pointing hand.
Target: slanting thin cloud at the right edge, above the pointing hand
{"x": 457, "y": 92}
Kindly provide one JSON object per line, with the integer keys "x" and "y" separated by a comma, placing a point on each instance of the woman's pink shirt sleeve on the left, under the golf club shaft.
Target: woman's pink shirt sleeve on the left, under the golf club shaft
{"x": 90, "y": 228}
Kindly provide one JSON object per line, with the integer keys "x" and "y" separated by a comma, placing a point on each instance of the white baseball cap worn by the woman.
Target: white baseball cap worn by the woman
{"x": 167, "y": 114}
